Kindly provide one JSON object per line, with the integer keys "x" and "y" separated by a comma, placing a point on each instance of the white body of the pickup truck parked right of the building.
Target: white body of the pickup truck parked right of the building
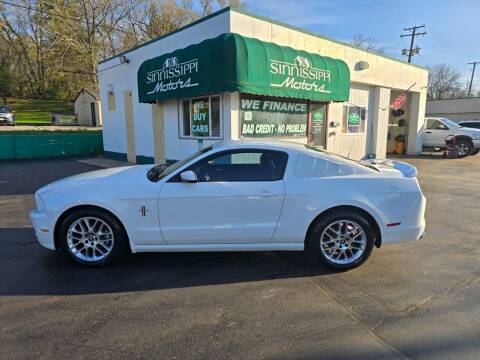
{"x": 437, "y": 129}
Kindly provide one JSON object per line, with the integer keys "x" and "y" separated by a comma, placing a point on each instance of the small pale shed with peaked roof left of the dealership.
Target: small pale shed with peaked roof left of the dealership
{"x": 87, "y": 107}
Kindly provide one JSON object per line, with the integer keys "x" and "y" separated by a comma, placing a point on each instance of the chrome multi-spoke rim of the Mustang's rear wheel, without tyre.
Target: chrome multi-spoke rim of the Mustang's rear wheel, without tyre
{"x": 343, "y": 242}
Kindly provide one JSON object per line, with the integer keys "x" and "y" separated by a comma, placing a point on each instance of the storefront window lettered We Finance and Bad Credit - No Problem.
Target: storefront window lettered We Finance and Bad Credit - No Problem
{"x": 272, "y": 117}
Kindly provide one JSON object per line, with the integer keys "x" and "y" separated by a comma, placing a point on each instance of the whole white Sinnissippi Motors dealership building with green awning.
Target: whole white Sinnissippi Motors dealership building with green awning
{"x": 234, "y": 75}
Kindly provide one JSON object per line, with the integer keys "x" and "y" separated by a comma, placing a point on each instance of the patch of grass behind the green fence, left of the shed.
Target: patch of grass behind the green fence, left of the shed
{"x": 38, "y": 112}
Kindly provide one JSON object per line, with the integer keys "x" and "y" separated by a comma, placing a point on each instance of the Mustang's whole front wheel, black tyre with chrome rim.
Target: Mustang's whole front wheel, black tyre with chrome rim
{"x": 92, "y": 237}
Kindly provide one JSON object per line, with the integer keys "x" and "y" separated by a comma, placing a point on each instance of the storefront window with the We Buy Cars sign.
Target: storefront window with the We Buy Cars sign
{"x": 201, "y": 117}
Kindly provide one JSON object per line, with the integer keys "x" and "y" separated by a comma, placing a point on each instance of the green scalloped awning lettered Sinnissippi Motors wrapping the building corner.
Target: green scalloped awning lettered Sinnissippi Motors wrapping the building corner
{"x": 231, "y": 62}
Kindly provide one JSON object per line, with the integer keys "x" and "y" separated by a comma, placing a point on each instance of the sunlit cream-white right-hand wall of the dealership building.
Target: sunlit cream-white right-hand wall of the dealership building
{"x": 383, "y": 72}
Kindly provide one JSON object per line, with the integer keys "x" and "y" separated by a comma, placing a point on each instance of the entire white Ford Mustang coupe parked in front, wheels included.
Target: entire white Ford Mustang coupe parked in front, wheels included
{"x": 235, "y": 196}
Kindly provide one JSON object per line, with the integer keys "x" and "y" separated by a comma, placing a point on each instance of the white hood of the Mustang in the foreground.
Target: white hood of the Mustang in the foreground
{"x": 106, "y": 177}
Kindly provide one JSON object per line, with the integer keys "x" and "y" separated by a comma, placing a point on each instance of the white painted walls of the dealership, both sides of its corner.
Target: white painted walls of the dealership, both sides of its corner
{"x": 382, "y": 72}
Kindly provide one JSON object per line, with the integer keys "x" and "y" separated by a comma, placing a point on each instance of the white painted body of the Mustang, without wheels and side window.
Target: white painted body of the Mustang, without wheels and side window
{"x": 239, "y": 216}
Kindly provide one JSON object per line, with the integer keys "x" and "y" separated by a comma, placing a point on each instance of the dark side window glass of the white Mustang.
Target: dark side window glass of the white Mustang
{"x": 242, "y": 165}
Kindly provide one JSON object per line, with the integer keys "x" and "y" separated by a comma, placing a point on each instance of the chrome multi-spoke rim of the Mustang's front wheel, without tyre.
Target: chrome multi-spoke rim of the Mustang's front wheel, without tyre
{"x": 90, "y": 239}
